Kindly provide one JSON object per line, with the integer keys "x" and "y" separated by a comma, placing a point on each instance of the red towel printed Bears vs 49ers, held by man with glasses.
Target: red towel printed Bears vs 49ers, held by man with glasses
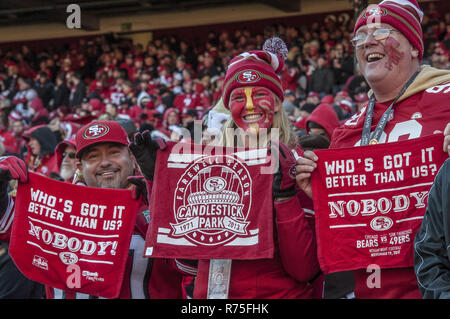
{"x": 369, "y": 202}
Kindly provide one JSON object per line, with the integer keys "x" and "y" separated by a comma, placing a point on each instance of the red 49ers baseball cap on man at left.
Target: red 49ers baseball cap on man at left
{"x": 100, "y": 132}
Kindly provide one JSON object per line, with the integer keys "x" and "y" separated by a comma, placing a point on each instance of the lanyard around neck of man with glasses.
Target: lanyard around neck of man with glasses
{"x": 373, "y": 138}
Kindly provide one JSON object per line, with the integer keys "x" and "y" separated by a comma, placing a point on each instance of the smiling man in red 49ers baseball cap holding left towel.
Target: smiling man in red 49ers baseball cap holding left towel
{"x": 106, "y": 162}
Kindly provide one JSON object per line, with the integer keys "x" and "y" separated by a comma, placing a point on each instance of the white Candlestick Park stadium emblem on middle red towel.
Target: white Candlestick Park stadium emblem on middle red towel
{"x": 212, "y": 201}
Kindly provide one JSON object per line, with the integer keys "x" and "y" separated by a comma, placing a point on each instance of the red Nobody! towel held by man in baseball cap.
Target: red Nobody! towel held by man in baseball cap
{"x": 72, "y": 237}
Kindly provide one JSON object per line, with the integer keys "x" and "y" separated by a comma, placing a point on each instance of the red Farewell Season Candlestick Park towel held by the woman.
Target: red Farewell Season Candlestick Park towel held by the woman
{"x": 211, "y": 203}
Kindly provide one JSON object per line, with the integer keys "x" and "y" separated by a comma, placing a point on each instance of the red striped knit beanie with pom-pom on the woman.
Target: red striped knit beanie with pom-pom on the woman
{"x": 256, "y": 68}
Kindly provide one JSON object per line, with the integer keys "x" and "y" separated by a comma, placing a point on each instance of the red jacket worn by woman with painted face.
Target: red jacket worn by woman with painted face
{"x": 287, "y": 275}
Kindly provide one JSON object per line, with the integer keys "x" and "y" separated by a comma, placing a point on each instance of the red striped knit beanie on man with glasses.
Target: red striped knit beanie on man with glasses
{"x": 404, "y": 15}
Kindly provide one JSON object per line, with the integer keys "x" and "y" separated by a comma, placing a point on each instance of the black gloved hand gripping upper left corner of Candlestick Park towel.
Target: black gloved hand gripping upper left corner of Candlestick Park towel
{"x": 145, "y": 150}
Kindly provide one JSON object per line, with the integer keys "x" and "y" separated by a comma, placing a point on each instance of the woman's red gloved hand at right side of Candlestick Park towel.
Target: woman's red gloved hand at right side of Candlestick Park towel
{"x": 284, "y": 178}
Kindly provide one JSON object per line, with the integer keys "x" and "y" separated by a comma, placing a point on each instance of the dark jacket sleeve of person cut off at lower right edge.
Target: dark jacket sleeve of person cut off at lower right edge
{"x": 431, "y": 258}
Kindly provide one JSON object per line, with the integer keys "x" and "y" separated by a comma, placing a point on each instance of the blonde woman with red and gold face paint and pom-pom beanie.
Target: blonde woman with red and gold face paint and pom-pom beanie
{"x": 253, "y": 94}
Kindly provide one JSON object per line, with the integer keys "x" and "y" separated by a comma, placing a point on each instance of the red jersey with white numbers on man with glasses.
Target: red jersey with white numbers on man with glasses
{"x": 416, "y": 116}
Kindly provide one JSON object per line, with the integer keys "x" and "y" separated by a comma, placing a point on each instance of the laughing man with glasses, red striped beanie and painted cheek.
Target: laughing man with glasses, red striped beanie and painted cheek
{"x": 389, "y": 48}
